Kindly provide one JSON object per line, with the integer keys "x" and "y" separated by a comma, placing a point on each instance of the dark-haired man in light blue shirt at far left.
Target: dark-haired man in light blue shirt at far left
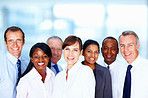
{"x": 14, "y": 40}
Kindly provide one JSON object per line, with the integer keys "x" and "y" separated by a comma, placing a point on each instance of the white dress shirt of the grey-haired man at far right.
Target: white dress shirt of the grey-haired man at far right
{"x": 139, "y": 78}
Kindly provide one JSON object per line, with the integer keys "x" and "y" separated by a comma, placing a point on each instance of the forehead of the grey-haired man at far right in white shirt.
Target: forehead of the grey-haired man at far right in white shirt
{"x": 127, "y": 39}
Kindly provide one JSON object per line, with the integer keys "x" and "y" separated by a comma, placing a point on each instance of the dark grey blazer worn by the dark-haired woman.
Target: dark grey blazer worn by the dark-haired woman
{"x": 103, "y": 87}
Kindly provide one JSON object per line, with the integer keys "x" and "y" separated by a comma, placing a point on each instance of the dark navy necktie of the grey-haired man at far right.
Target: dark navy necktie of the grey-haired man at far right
{"x": 127, "y": 83}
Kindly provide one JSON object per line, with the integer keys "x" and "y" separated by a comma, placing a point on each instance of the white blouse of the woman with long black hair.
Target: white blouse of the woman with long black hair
{"x": 31, "y": 85}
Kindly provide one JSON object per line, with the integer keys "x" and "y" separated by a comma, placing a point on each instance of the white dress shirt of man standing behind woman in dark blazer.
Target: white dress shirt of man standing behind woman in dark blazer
{"x": 117, "y": 70}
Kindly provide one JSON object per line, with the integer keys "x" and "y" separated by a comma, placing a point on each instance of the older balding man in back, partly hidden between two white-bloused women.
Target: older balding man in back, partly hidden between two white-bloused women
{"x": 55, "y": 44}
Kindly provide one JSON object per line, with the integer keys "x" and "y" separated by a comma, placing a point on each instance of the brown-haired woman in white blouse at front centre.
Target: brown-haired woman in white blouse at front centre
{"x": 77, "y": 80}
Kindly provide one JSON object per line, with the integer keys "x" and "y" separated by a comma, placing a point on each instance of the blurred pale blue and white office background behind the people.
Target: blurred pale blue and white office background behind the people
{"x": 88, "y": 19}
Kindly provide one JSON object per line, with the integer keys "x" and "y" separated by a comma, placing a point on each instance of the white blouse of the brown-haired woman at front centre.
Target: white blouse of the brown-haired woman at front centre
{"x": 80, "y": 83}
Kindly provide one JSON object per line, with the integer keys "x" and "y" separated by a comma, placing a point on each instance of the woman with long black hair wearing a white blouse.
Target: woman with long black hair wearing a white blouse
{"x": 37, "y": 81}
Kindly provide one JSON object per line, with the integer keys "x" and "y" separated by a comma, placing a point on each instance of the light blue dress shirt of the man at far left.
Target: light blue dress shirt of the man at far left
{"x": 8, "y": 74}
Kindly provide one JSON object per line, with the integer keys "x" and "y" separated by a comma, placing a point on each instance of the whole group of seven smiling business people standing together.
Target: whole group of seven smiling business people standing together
{"x": 43, "y": 77}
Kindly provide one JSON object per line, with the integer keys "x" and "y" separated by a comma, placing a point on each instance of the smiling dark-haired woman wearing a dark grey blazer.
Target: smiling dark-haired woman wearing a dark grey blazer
{"x": 102, "y": 74}
